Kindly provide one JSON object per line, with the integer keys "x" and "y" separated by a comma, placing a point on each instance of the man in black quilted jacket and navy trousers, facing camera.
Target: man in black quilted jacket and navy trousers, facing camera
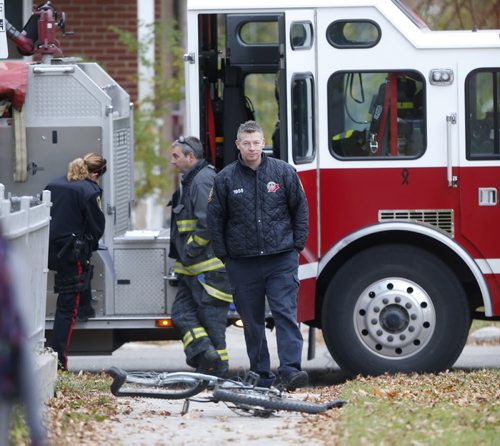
{"x": 258, "y": 218}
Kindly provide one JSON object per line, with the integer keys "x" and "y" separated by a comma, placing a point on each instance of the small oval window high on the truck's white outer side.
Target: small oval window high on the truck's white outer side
{"x": 353, "y": 34}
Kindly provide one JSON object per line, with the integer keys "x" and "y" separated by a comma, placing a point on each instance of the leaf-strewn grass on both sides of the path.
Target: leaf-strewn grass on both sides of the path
{"x": 451, "y": 408}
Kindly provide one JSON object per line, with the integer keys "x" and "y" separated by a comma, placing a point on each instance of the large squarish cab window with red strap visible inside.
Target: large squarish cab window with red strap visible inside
{"x": 376, "y": 115}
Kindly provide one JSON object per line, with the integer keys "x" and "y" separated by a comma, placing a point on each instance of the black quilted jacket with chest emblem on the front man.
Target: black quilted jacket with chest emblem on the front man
{"x": 257, "y": 212}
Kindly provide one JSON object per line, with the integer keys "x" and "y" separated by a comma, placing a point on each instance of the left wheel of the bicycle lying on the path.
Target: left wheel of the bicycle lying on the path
{"x": 155, "y": 385}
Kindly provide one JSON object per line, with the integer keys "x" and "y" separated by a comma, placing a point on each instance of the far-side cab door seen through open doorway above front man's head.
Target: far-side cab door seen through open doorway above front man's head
{"x": 254, "y": 64}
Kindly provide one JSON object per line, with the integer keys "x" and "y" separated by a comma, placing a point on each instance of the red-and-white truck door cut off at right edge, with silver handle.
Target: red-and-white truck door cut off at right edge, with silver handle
{"x": 479, "y": 172}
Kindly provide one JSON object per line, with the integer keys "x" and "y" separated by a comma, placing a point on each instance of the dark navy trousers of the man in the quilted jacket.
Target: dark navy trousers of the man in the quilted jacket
{"x": 274, "y": 276}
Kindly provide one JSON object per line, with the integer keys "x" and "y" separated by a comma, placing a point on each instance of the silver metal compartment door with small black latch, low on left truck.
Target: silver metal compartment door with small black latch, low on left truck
{"x": 139, "y": 287}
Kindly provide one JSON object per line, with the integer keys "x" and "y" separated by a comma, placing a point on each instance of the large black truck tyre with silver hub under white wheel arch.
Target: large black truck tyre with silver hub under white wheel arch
{"x": 395, "y": 308}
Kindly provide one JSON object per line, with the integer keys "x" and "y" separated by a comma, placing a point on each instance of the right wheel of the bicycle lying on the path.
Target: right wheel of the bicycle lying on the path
{"x": 261, "y": 398}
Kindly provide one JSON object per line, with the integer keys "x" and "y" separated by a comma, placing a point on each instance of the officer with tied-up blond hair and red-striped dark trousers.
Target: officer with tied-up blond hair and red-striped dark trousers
{"x": 77, "y": 224}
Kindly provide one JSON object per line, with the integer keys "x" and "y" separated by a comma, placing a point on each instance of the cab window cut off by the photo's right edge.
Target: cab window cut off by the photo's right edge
{"x": 483, "y": 114}
